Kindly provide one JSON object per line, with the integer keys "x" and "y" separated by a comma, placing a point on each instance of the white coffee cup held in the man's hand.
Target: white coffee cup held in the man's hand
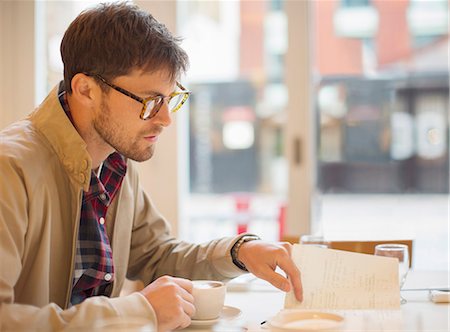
{"x": 209, "y": 297}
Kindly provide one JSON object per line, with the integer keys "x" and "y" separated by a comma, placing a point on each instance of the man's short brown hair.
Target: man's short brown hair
{"x": 112, "y": 39}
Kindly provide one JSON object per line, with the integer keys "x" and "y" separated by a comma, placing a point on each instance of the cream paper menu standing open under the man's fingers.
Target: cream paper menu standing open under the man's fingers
{"x": 334, "y": 279}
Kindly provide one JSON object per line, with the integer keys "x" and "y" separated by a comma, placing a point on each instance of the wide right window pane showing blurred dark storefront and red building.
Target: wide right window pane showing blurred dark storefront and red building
{"x": 382, "y": 108}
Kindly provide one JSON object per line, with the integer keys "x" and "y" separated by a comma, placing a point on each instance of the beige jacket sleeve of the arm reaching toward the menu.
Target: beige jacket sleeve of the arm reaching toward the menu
{"x": 154, "y": 252}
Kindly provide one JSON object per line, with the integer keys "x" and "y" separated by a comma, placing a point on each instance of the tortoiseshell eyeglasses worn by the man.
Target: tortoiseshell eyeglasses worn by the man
{"x": 152, "y": 105}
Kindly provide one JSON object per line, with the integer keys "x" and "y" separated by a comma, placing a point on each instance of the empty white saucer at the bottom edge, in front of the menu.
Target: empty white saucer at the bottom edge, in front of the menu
{"x": 297, "y": 320}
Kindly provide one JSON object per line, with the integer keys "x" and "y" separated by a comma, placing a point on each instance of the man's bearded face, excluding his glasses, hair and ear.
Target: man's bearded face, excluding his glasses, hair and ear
{"x": 117, "y": 121}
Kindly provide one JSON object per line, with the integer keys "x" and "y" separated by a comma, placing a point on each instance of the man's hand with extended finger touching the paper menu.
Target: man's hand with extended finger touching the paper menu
{"x": 262, "y": 258}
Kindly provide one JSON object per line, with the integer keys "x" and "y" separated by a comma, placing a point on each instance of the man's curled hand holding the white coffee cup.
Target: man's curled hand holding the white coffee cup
{"x": 172, "y": 300}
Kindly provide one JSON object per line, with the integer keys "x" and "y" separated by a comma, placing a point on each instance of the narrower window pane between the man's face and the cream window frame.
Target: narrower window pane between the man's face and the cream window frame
{"x": 237, "y": 171}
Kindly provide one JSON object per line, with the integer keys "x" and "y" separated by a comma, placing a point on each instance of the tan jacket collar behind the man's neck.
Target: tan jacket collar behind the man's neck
{"x": 51, "y": 120}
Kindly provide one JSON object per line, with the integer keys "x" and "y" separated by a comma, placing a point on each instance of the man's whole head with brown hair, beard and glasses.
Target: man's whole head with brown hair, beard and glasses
{"x": 120, "y": 72}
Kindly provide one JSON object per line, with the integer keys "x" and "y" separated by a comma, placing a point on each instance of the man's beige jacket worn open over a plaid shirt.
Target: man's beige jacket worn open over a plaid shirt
{"x": 44, "y": 168}
